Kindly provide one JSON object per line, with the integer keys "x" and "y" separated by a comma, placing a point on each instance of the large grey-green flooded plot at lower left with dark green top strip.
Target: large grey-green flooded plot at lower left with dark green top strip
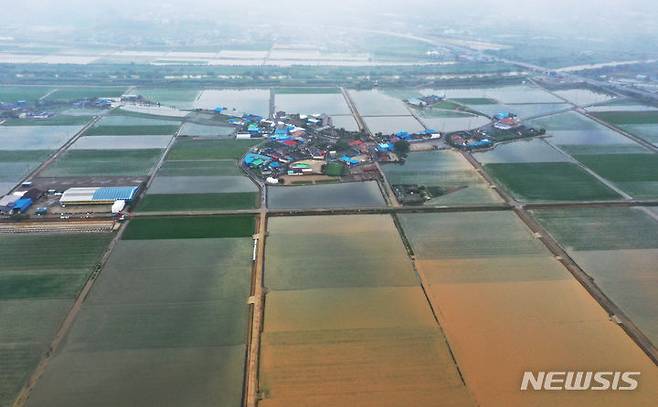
{"x": 170, "y": 312}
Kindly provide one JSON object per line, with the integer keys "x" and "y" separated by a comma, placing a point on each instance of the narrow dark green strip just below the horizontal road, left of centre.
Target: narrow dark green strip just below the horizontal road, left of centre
{"x": 190, "y": 227}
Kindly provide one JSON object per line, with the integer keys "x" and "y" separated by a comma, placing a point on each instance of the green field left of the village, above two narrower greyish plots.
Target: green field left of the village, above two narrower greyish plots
{"x": 188, "y": 149}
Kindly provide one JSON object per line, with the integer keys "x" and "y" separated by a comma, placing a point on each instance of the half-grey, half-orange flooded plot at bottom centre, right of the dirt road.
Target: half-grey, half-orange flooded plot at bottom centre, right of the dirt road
{"x": 356, "y": 332}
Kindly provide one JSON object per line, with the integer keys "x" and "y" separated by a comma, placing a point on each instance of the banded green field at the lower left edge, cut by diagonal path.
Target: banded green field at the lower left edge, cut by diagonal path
{"x": 40, "y": 275}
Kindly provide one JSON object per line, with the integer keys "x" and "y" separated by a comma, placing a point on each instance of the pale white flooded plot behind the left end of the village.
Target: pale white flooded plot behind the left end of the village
{"x": 254, "y": 101}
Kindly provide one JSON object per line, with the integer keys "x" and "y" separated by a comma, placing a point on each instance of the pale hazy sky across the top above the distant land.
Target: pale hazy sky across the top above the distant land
{"x": 580, "y": 17}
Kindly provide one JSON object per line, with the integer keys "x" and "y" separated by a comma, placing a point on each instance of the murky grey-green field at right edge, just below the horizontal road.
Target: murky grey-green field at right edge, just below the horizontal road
{"x": 600, "y": 228}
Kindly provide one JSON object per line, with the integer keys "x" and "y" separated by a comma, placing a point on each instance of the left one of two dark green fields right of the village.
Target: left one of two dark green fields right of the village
{"x": 549, "y": 182}
